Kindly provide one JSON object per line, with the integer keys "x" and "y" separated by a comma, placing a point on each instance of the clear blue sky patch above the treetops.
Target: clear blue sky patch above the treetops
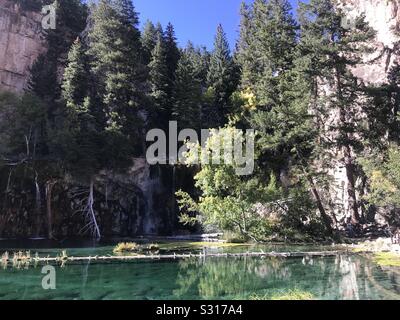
{"x": 195, "y": 20}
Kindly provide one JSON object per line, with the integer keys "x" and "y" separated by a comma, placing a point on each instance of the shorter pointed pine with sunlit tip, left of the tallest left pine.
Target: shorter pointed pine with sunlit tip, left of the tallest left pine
{"x": 81, "y": 139}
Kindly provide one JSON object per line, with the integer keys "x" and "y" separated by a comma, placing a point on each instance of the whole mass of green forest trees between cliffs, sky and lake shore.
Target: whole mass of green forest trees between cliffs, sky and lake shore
{"x": 117, "y": 81}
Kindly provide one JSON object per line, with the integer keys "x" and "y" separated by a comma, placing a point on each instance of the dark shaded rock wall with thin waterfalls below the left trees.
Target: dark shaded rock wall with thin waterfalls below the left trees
{"x": 132, "y": 204}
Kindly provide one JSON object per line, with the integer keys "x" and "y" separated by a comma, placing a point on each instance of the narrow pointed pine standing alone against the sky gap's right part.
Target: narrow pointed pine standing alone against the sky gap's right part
{"x": 221, "y": 76}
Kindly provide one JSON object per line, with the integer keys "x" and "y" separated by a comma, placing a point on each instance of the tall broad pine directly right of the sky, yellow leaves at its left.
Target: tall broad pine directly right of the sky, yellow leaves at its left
{"x": 278, "y": 93}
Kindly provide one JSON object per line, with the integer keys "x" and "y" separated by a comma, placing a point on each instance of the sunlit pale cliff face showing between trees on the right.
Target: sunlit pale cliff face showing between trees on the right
{"x": 384, "y": 17}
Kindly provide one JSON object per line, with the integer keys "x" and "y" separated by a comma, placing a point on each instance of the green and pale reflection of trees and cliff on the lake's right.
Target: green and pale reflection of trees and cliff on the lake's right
{"x": 340, "y": 277}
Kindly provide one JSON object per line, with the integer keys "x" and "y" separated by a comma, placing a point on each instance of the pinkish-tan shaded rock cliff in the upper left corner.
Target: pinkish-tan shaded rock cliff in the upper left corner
{"x": 21, "y": 41}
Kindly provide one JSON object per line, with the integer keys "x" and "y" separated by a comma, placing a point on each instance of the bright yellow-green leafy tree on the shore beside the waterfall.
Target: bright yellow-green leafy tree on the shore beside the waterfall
{"x": 227, "y": 200}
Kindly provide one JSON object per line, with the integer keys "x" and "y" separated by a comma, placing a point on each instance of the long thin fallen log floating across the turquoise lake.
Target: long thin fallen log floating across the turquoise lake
{"x": 63, "y": 258}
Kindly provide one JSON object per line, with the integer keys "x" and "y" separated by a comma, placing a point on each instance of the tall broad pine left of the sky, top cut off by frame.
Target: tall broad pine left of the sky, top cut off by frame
{"x": 115, "y": 50}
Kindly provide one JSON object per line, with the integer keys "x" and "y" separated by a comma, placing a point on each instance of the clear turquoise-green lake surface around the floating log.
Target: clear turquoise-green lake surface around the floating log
{"x": 342, "y": 277}
